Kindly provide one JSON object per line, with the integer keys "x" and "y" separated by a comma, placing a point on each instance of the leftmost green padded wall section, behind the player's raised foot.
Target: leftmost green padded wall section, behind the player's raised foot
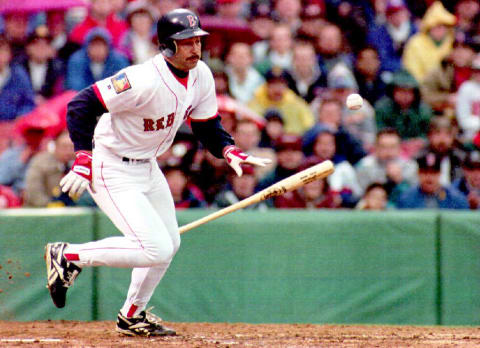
{"x": 23, "y": 236}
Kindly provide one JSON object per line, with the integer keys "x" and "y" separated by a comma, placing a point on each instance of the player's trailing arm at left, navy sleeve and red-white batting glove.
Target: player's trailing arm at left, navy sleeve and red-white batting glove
{"x": 82, "y": 115}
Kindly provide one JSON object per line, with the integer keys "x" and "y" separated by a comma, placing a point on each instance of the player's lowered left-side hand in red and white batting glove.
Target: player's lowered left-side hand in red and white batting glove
{"x": 80, "y": 176}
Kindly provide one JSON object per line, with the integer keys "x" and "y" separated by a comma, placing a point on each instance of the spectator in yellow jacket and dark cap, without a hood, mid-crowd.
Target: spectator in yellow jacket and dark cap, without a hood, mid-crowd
{"x": 275, "y": 94}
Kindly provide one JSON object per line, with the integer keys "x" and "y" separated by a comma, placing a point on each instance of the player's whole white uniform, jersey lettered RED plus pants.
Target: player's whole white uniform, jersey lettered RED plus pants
{"x": 147, "y": 105}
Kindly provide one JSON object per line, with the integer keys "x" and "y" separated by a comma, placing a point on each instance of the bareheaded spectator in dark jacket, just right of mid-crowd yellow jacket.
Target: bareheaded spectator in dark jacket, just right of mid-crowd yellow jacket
{"x": 308, "y": 80}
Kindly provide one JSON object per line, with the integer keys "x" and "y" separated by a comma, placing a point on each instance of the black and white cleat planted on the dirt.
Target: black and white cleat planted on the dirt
{"x": 145, "y": 324}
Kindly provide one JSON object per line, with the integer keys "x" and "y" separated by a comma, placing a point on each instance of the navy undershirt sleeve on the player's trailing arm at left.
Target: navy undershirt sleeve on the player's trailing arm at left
{"x": 82, "y": 115}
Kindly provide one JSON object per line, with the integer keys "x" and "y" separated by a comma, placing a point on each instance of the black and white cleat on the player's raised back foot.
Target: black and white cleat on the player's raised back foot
{"x": 60, "y": 272}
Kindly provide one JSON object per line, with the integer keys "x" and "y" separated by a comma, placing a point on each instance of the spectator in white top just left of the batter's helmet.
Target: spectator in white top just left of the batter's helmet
{"x": 137, "y": 43}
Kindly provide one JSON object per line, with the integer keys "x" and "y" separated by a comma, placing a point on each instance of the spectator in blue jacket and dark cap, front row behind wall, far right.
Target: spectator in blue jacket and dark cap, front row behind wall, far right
{"x": 429, "y": 193}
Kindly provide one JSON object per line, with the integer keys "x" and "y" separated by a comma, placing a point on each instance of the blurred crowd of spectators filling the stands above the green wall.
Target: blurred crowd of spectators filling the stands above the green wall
{"x": 283, "y": 69}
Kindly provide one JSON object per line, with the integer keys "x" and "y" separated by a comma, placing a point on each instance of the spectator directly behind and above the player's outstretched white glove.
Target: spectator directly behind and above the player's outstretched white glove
{"x": 247, "y": 136}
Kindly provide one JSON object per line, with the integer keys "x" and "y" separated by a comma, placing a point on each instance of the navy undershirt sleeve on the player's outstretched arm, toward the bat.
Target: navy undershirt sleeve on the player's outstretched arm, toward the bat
{"x": 212, "y": 135}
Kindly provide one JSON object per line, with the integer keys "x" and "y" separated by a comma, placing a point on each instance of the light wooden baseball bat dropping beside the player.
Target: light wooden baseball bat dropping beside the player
{"x": 318, "y": 171}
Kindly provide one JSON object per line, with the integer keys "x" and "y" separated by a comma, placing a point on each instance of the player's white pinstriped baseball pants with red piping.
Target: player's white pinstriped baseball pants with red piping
{"x": 137, "y": 199}
